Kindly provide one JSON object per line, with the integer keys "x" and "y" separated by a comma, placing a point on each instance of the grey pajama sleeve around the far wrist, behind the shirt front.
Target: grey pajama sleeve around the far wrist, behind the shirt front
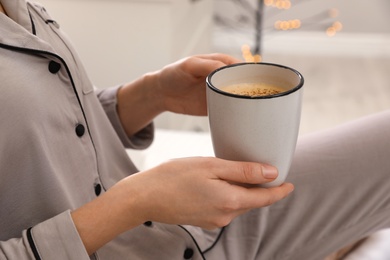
{"x": 140, "y": 140}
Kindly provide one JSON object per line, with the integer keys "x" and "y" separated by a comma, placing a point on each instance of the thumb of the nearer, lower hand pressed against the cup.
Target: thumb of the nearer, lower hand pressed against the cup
{"x": 247, "y": 172}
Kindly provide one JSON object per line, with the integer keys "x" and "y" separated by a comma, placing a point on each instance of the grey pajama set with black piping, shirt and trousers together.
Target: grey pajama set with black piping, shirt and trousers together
{"x": 62, "y": 145}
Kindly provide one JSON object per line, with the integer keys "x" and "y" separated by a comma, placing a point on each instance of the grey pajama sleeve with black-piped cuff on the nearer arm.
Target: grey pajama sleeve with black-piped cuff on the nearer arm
{"x": 55, "y": 238}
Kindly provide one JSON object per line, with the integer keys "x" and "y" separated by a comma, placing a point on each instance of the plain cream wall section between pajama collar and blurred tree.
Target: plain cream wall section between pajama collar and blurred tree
{"x": 120, "y": 40}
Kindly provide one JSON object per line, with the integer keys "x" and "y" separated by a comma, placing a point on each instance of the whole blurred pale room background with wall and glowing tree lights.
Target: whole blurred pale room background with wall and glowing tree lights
{"x": 341, "y": 47}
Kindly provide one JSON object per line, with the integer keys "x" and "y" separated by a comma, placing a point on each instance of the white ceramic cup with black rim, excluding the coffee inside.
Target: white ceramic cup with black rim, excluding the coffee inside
{"x": 259, "y": 129}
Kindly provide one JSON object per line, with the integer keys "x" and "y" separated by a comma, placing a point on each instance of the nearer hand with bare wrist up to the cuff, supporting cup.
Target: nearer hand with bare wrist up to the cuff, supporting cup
{"x": 205, "y": 192}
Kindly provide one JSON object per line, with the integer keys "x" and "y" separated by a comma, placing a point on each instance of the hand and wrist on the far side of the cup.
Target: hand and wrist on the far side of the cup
{"x": 179, "y": 88}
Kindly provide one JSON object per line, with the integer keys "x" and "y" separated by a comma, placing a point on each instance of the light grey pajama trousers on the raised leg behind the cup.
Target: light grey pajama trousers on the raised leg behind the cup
{"x": 342, "y": 194}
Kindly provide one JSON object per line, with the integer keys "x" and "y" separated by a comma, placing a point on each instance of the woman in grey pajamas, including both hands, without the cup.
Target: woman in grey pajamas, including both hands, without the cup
{"x": 69, "y": 191}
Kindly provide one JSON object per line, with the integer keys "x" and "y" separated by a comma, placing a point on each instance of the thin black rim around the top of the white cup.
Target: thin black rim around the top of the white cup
{"x": 212, "y": 87}
